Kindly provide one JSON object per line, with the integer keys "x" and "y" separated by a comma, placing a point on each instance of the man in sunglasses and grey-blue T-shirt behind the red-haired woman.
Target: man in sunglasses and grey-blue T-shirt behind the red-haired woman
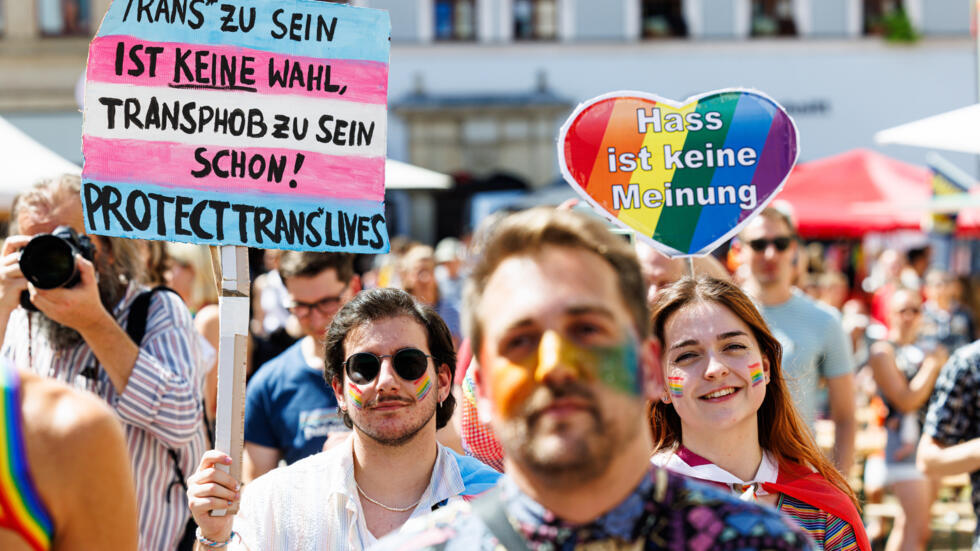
{"x": 814, "y": 344}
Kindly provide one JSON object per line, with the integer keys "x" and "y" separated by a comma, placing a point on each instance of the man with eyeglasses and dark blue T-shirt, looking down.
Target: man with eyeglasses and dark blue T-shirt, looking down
{"x": 290, "y": 409}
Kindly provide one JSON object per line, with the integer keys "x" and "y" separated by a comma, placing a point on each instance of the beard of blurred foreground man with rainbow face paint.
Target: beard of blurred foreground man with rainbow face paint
{"x": 566, "y": 453}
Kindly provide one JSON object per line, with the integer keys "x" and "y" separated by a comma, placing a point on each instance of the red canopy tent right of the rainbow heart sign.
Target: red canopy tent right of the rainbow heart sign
{"x": 858, "y": 192}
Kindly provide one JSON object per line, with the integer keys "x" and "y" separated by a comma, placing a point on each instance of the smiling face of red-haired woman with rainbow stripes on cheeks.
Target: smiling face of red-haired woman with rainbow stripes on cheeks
{"x": 715, "y": 373}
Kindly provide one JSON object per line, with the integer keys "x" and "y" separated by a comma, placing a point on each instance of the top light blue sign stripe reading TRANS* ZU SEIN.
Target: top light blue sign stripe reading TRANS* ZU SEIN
{"x": 359, "y": 33}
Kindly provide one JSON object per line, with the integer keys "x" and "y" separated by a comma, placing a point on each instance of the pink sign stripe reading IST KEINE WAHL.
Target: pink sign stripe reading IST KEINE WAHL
{"x": 345, "y": 79}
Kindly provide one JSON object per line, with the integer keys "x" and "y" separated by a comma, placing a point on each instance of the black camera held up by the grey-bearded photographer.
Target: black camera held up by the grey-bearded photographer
{"x": 48, "y": 260}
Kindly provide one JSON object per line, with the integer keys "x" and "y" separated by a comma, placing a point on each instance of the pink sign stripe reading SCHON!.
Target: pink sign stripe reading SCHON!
{"x": 319, "y": 175}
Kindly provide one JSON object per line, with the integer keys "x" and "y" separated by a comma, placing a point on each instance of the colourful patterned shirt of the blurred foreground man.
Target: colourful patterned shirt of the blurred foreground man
{"x": 665, "y": 511}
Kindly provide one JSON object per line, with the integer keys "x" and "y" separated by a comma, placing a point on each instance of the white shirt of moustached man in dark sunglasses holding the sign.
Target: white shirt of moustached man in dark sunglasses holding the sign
{"x": 314, "y": 504}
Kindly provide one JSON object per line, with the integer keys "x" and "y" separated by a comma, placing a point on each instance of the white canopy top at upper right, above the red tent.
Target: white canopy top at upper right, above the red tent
{"x": 957, "y": 130}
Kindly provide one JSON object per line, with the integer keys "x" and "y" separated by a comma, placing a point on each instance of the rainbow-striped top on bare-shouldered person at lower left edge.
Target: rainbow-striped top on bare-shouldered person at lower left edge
{"x": 21, "y": 509}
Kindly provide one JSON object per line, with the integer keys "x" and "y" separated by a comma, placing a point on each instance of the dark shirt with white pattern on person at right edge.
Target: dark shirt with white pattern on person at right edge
{"x": 954, "y": 410}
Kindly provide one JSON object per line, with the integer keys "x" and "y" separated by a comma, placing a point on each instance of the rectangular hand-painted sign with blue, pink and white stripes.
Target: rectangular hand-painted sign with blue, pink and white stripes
{"x": 255, "y": 123}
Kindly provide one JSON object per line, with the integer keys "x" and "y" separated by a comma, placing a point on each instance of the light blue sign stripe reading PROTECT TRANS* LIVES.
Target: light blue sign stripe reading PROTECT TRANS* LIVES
{"x": 267, "y": 221}
